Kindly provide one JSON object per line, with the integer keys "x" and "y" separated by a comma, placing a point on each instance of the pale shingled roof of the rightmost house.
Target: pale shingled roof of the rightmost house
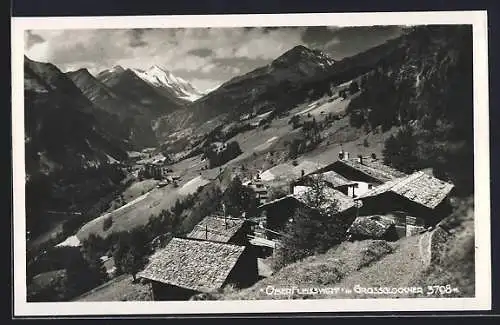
{"x": 418, "y": 187}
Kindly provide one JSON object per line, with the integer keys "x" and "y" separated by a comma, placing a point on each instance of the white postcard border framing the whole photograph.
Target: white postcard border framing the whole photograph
{"x": 482, "y": 301}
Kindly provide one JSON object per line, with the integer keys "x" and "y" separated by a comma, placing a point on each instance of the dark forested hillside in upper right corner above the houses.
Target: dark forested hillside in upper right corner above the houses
{"x": 425, "y": 88}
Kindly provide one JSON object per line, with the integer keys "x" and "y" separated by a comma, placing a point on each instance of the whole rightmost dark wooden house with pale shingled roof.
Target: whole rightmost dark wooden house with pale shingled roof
{"x": 419, "y": 195}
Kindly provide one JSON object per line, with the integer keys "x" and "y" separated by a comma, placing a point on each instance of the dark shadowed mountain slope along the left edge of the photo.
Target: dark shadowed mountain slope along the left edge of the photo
{"x": 68, "y": 151}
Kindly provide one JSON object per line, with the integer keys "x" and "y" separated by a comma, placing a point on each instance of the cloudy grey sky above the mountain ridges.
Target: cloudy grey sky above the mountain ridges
{"x": 206, "y": 57}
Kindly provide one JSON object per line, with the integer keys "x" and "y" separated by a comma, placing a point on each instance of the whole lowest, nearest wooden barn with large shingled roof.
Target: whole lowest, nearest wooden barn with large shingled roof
{"x": 187, "y": 267}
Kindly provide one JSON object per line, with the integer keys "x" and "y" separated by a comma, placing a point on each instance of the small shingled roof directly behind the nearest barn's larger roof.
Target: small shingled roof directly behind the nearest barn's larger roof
{"x": 216, "y": 228}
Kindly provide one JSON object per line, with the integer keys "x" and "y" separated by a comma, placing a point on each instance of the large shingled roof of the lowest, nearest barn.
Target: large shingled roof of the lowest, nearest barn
{"x": 193, "y": 264}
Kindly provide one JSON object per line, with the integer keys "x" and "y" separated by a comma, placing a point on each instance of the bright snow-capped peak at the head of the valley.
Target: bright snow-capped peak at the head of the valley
{"x": 163, "y": 79}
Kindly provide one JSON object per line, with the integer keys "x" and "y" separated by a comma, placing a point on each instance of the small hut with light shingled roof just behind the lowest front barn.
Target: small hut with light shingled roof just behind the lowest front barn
{"x": 222, "y": 229}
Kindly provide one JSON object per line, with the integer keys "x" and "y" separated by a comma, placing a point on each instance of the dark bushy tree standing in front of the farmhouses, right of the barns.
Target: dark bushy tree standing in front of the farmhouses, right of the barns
{"x": 313, "y": 229}
